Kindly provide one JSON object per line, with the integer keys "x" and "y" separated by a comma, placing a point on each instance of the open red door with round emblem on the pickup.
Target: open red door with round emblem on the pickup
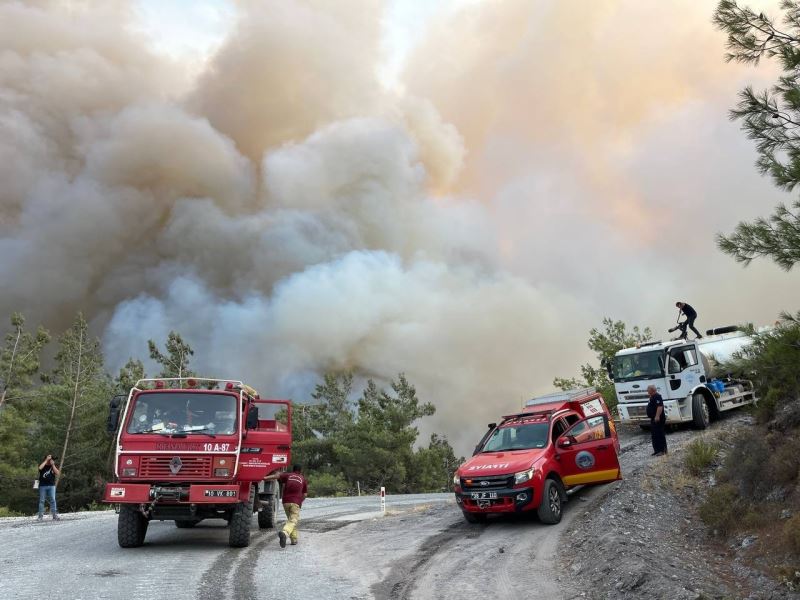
{"x": 587, "y": 453}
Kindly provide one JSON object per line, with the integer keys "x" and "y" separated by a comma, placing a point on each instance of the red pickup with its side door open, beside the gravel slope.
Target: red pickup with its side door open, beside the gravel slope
{"x": 532, "y": 459}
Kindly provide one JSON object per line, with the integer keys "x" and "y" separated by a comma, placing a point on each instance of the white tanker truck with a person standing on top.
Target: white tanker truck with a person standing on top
{"x": 681, "y": 371}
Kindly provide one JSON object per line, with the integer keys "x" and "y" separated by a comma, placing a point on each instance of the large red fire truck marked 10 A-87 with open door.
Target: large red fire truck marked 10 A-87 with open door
{"x": 190, "y": 449}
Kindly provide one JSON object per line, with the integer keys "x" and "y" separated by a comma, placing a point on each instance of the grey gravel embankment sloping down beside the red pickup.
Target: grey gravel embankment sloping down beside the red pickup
{"x": 643, "y": 537}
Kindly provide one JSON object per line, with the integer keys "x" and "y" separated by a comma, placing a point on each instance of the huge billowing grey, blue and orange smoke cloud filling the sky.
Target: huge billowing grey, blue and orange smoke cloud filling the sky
{"x": 544, "y": 165}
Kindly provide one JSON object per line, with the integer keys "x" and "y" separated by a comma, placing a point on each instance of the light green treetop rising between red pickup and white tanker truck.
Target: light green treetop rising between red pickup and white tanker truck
{"x": 605, "y": 342}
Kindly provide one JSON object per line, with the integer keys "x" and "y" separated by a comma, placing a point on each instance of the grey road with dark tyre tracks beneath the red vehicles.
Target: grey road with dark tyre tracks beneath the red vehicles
{"x": 422, "y": 549}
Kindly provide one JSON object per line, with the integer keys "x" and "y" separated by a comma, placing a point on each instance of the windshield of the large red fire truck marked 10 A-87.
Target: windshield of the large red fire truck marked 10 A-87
{"x": 184, "y": 412}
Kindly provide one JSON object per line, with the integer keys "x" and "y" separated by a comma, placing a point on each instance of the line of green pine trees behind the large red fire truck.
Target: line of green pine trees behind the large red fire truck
{"x": 347, "y": 438}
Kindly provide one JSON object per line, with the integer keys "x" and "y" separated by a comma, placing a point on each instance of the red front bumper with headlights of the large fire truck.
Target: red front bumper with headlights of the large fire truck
{"x": 196, "y": 493}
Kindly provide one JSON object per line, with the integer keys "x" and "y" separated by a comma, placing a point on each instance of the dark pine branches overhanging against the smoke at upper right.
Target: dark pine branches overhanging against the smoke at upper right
{"x": 772, "y": 119}
